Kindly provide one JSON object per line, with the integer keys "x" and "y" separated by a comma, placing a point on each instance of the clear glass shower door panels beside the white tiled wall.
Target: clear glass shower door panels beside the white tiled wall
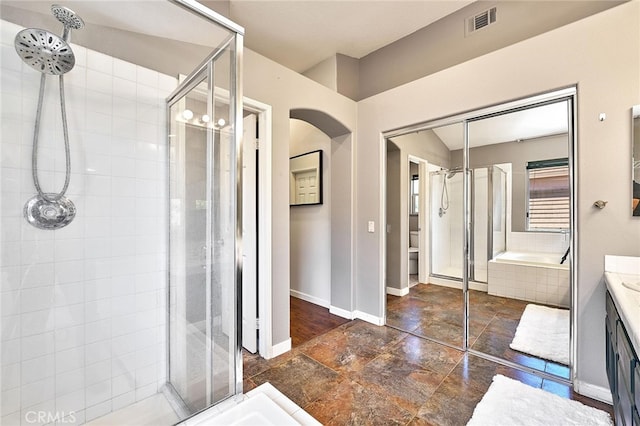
{"x": 204, "y": 354}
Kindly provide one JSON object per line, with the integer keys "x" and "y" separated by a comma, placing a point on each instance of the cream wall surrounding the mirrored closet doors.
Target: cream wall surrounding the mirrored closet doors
{"x": 601, "y": 55}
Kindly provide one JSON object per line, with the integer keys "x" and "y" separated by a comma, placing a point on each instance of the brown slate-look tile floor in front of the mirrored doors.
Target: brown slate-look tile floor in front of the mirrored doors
{"x": 359, "y": 373}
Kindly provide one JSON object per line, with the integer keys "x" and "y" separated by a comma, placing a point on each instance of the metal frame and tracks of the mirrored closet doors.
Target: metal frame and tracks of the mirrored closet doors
{"x": 567, "y": 94}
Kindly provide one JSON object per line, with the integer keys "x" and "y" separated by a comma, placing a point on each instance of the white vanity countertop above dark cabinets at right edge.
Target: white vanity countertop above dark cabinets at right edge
{"x": 619, "y": 269}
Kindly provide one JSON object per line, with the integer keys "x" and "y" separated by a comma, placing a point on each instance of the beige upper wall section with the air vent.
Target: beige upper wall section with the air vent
{"x": 444, "y": 44}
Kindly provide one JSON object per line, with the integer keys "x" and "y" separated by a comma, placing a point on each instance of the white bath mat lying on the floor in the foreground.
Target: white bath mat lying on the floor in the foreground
{"x": 509, "y": 402}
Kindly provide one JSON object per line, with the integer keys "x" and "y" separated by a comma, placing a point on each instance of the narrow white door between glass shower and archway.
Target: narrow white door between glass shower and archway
{"x": 249, "y": 234}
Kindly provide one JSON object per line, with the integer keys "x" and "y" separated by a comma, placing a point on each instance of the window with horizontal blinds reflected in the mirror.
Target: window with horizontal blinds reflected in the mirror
{"x": 549, "y": 202}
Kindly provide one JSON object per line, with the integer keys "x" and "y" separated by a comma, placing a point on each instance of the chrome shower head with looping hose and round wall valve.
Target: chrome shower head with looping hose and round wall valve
{"x": 50, "y": 55}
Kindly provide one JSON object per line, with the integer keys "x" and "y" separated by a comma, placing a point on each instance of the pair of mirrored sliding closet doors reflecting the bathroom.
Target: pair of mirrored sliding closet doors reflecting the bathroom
{"x": 494, "y": 220}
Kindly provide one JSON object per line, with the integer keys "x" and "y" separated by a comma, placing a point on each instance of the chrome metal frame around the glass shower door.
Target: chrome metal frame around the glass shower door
{"x": 204, "y": 72}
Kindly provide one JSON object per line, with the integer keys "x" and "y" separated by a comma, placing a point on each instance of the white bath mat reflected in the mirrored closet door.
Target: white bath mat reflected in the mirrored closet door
{"x": 543, "y": 332}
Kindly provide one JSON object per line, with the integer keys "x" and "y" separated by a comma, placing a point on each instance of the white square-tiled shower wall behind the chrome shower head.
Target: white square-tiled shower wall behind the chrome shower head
{"x": 83, "y": 307}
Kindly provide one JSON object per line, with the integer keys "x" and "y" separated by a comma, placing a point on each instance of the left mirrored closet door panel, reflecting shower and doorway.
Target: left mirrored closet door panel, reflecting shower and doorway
{"x": 424, "y": 234}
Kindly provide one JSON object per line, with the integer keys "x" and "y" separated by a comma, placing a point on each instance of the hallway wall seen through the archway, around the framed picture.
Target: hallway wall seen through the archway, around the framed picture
{"x": 310, "y": 229}
